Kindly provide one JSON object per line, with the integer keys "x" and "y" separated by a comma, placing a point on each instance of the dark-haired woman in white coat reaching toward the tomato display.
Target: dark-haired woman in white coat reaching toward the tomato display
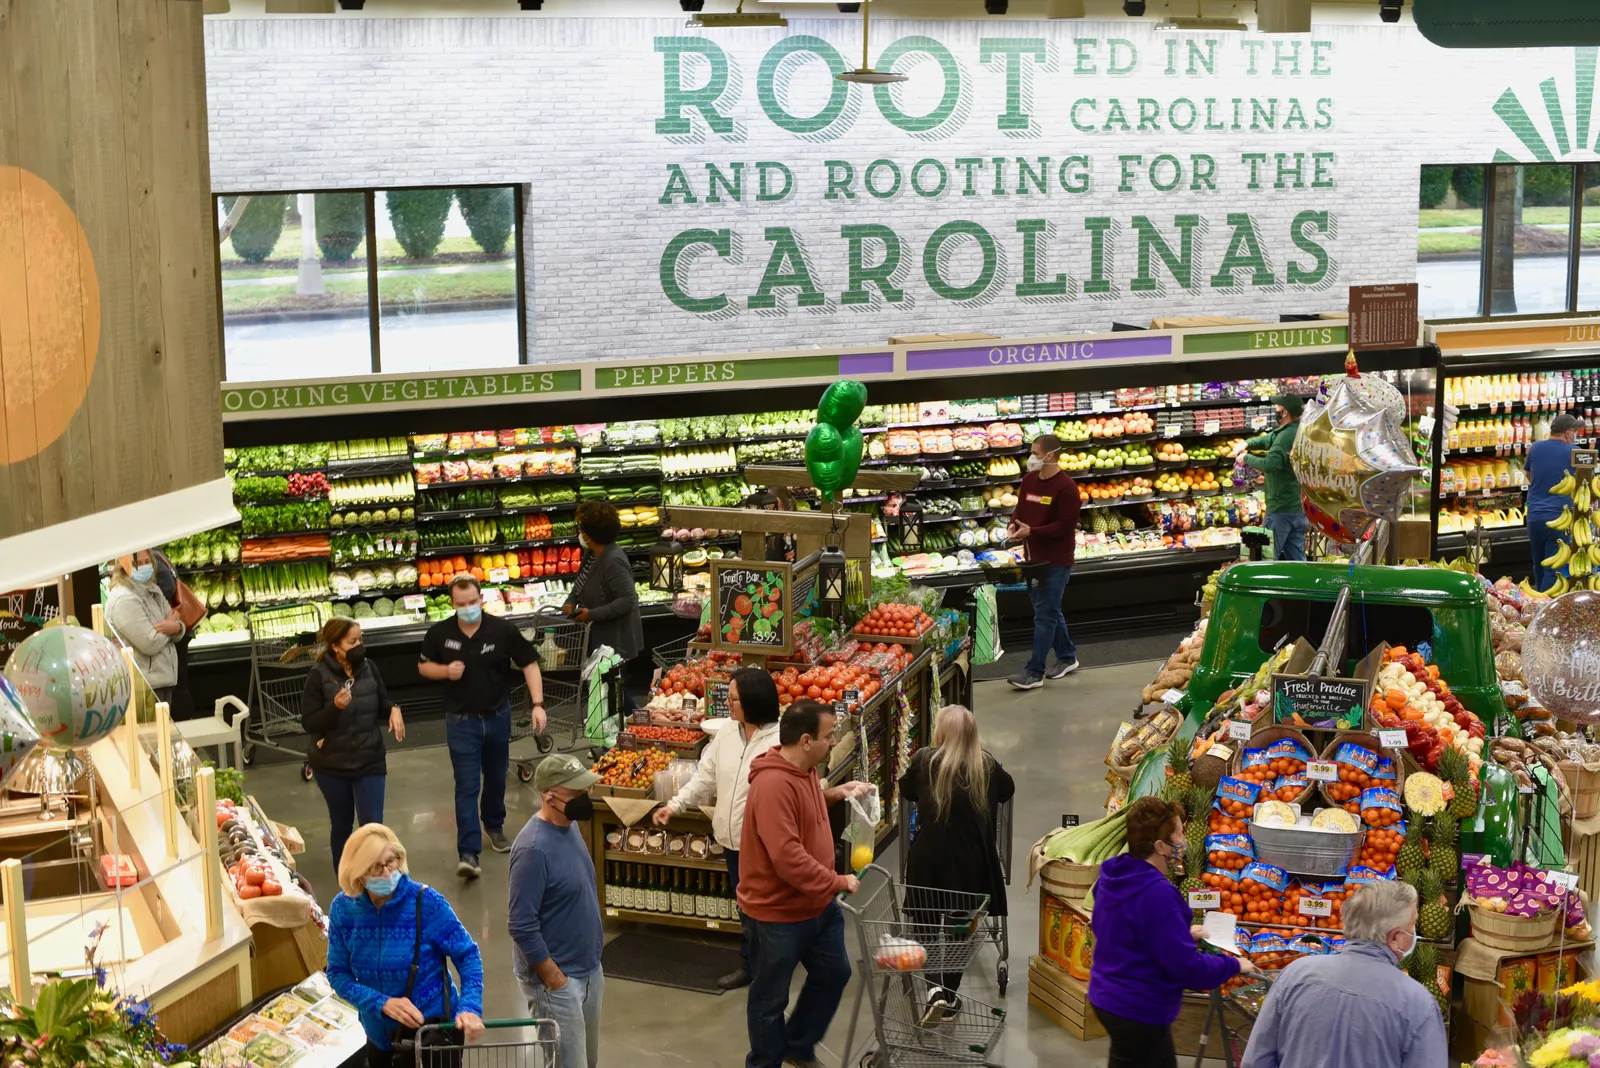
{"x": 726, "y": 778}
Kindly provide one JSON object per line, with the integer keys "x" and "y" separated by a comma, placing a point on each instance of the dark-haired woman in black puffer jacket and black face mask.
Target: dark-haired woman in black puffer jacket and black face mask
{"x": 345, "y": 711}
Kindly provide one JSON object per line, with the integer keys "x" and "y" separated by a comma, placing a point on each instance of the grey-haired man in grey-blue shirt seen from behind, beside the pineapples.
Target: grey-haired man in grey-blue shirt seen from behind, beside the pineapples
{"x": 1356, "y": 1006}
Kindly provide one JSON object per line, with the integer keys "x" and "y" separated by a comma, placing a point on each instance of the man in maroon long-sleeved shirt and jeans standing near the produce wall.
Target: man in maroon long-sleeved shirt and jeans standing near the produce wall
{"x": 1046, "y": 524}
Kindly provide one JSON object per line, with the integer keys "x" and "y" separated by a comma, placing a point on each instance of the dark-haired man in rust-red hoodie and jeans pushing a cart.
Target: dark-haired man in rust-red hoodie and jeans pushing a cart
{"x": 788, "y": 887}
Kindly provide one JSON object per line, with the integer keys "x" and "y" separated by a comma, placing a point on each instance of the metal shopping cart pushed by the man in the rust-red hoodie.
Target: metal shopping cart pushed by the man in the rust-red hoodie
{"x": 914, "y": 941}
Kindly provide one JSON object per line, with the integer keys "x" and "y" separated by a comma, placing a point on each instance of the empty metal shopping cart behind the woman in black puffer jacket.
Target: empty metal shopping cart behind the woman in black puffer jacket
{"x": 281, "y": 658}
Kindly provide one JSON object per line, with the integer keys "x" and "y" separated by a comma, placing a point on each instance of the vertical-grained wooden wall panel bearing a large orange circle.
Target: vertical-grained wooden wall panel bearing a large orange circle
{"x": 110, "y": 351}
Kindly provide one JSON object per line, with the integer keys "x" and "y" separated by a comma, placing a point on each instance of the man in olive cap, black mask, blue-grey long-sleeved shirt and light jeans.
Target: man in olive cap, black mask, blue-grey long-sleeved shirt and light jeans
{"x": 556, "y": 911}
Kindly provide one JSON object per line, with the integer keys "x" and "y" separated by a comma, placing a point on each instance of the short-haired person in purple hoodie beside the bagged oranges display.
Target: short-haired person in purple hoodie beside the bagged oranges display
{"x": 1145, "y": 949}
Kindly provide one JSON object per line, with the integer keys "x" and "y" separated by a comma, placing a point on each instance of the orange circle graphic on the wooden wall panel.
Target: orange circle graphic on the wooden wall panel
{"x": 50, "y": 314}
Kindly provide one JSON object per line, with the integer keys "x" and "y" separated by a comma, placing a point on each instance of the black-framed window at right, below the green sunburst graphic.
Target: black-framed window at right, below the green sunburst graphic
{"x": 1538, "y": 226}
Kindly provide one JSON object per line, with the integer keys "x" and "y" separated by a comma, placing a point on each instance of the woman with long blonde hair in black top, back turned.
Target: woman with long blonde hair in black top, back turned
{"x": 959, "y": 791}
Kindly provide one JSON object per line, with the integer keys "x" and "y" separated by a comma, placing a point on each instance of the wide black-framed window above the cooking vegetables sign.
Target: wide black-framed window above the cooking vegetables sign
{"x": 351, "y": 282}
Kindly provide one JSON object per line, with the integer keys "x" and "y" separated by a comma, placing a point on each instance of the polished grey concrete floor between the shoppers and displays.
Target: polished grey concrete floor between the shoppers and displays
{"x": 1054, "y": 741}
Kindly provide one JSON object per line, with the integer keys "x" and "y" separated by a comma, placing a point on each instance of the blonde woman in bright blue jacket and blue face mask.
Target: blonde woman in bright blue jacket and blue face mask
{"x": 374, "y": 939}
